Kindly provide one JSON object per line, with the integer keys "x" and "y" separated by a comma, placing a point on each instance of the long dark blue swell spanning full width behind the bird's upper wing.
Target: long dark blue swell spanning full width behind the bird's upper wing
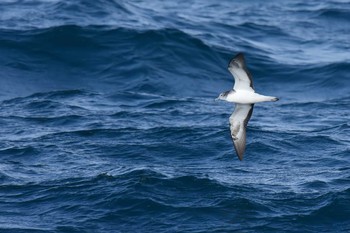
{"x": 106, "y": 59}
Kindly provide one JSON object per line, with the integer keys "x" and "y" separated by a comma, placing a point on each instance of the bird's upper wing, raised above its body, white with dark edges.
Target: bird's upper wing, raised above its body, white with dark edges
{"x": 242, "y": 76}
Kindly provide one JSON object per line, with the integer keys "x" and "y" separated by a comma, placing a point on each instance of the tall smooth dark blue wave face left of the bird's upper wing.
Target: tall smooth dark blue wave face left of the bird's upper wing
{"x": 131, "y": 55}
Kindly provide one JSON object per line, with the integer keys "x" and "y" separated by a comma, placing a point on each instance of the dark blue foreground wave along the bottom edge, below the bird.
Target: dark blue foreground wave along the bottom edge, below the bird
{"x": 149, "y": 191}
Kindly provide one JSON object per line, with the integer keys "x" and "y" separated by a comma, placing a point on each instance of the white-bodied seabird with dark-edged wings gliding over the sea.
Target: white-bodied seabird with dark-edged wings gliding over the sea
{"x": 244, "y": 96}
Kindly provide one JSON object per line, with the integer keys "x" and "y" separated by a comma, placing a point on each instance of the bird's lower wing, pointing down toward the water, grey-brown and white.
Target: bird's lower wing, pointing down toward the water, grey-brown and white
{"x": 238, "y": 123}
